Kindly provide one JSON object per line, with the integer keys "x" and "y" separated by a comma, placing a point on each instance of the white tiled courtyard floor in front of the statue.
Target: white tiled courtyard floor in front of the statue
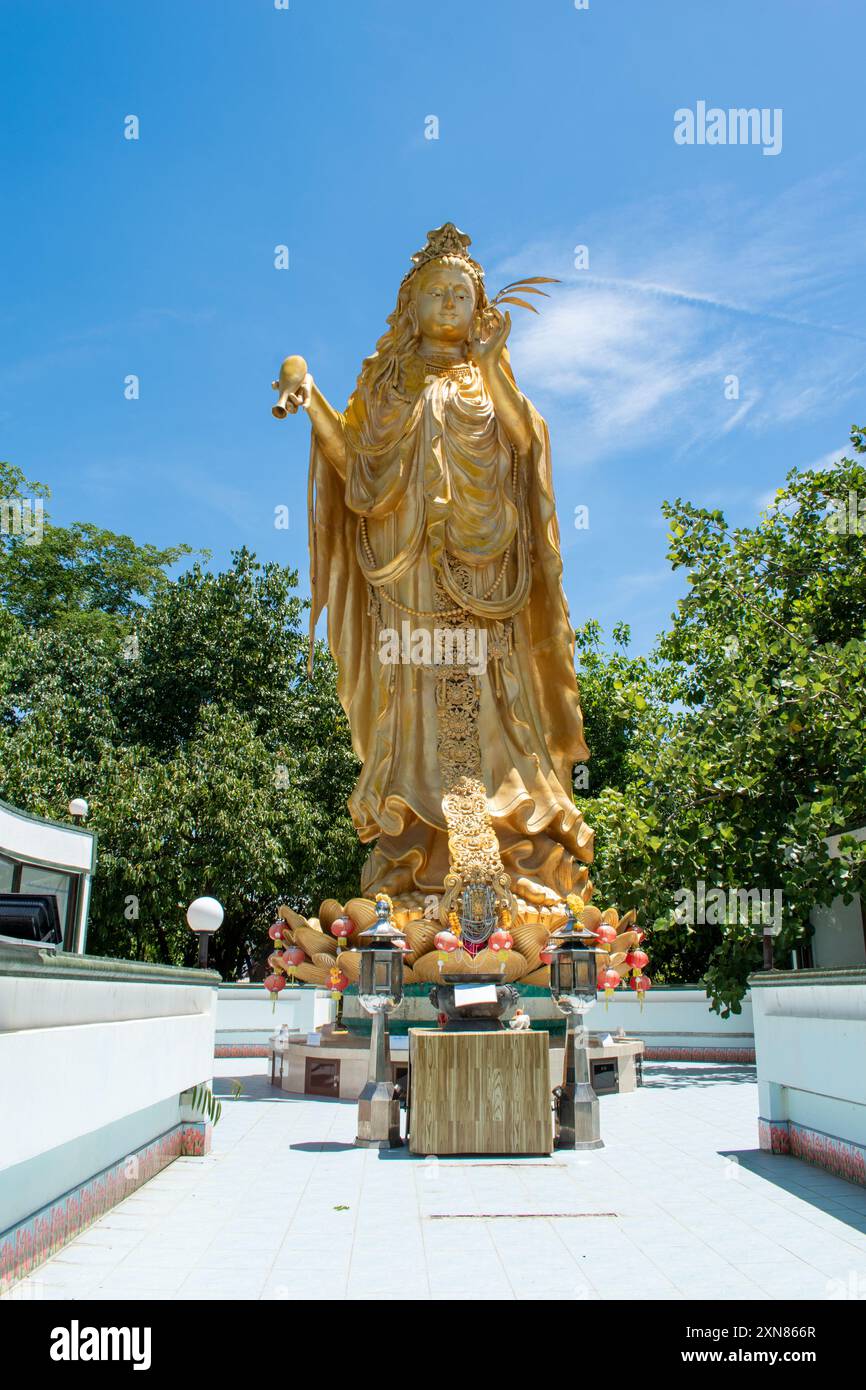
{"x": 680, "y": 1203}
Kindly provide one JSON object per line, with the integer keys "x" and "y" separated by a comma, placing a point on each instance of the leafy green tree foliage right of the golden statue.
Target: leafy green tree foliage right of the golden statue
{"x": 757, "y": 751}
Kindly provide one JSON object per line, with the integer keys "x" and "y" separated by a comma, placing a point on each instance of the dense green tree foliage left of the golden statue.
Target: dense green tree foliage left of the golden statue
{"x": 184, "y": 712}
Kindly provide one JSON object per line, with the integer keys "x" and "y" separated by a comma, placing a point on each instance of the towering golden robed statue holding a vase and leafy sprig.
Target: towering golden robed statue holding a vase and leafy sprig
{"x": 434, "y": 547}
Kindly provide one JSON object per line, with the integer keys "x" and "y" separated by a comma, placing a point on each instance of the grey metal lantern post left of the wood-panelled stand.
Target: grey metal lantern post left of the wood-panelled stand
{"x": 380, "y": 992}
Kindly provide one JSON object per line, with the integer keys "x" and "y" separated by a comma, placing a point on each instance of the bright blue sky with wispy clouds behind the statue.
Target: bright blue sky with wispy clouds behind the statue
{"x": 262, "y": 127}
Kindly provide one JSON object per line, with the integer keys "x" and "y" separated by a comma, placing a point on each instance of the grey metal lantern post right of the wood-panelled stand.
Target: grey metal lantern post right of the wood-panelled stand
{"x": 575, "y": 988}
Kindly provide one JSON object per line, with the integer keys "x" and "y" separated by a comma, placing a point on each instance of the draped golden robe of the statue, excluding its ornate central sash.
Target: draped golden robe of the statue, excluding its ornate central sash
{"x": 434, "y": 509}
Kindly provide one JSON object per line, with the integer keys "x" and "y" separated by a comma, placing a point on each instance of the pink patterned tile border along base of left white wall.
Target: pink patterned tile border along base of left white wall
{"x": 40, "y": 1236}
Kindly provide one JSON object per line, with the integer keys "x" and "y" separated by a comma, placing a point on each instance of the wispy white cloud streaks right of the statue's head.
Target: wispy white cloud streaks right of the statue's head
{"x": 682, "y": 297}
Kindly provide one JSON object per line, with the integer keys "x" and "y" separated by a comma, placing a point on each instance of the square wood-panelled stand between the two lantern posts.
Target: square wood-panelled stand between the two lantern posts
{"x": 480, "y": 1093}
